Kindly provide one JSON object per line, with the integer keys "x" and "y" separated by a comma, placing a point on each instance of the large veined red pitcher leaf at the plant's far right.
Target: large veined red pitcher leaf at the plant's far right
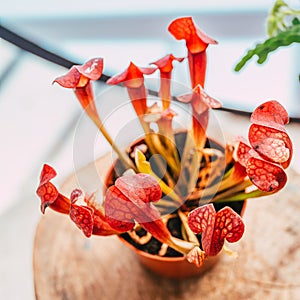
{"x": 271, "y": 147}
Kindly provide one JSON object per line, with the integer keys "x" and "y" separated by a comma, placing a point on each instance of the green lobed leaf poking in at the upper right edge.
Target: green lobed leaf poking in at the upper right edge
{"x": 262, "y": 50}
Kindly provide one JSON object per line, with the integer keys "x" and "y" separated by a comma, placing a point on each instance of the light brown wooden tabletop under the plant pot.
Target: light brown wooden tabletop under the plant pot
{"x": 69, "y": 266}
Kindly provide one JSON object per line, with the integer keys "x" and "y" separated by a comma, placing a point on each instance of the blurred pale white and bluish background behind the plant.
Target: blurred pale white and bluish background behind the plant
{"x": 39, "y": 120}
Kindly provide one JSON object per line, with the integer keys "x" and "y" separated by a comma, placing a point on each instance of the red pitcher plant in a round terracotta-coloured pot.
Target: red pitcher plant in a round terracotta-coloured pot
{"x": 174, "y": 195}
